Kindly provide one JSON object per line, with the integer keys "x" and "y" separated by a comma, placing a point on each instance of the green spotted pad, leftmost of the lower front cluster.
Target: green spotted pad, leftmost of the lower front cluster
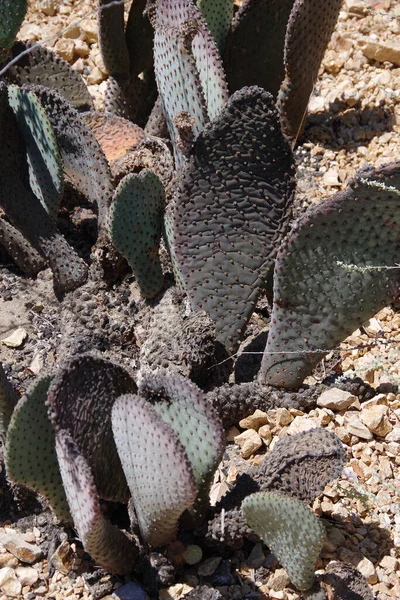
{"x": 30, "y": 455}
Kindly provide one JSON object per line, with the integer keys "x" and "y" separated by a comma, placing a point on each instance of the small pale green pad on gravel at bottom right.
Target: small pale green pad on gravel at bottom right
{"x": 291, "y": 531}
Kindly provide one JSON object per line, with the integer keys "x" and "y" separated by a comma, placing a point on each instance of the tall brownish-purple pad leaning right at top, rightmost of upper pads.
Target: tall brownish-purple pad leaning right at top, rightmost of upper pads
{"x": 310, "y": 28}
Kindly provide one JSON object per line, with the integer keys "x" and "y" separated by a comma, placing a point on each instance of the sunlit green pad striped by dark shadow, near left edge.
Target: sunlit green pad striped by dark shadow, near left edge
{"x": 44, "y": 160}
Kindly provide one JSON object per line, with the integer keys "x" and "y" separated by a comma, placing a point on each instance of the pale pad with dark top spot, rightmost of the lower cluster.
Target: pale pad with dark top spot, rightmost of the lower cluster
{"x": 184, "y": 407}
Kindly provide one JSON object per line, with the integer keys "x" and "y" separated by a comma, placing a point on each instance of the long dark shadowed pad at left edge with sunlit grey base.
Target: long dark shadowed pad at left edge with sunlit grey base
{"x": 25, "y": 211}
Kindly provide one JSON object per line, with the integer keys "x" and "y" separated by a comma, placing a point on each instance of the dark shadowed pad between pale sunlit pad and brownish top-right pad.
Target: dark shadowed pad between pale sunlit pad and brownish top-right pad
{"x": 255, "y": 46}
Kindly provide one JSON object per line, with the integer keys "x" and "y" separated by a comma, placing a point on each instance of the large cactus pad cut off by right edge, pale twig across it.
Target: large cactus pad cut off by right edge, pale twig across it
{"x": 333, "y": 272}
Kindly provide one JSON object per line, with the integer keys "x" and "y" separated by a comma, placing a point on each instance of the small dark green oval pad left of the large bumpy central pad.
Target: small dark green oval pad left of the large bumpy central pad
{"x": 136, "y": 218}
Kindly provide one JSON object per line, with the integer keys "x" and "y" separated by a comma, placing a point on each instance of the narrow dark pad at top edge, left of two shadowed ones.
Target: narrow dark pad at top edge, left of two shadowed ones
{"x": 112, "y": 41}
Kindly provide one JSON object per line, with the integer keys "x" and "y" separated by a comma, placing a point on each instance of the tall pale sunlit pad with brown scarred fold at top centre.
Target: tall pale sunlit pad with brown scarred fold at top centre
{"x": 188, "y": 68}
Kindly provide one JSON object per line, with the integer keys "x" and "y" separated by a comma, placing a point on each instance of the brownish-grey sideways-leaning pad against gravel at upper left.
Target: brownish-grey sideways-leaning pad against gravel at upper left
{"x": 40, "y": 66}
